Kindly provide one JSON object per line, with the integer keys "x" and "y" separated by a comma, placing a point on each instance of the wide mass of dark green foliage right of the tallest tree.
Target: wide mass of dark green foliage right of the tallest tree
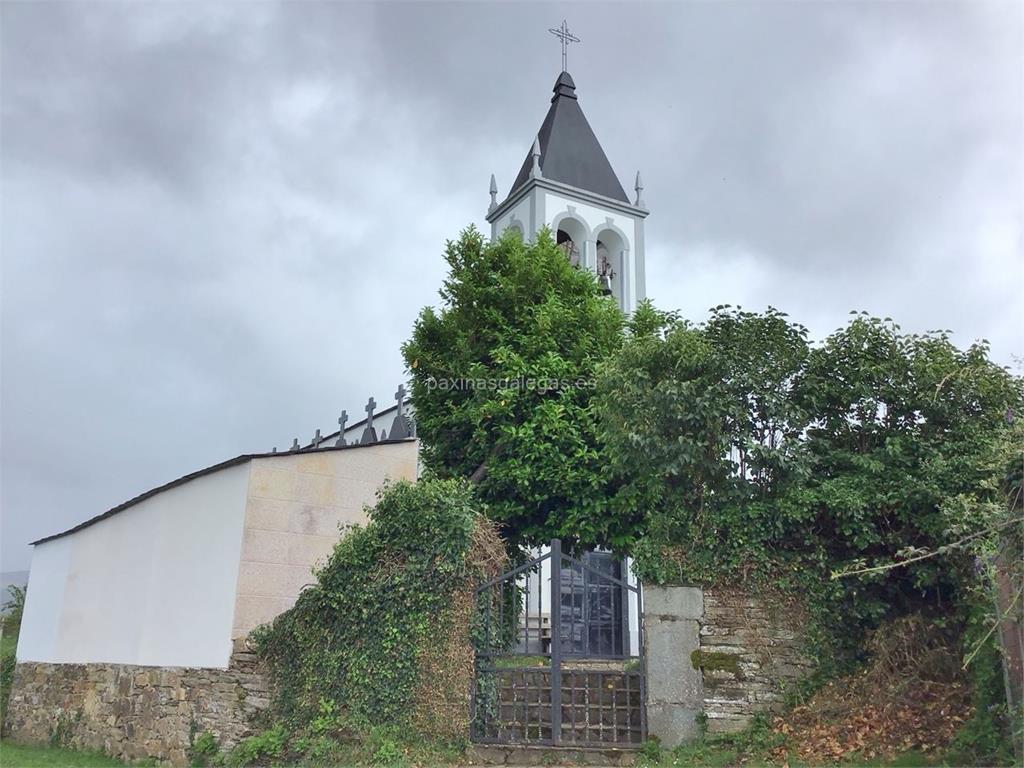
{"x": 759, "y": 456}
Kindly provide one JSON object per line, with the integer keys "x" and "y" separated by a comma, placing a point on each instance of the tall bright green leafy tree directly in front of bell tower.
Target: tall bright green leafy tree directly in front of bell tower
{"x": 502, "y": 380}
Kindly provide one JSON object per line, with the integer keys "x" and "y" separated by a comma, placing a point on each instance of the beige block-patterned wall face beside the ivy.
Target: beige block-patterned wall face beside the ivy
{"x": 296, "y": 504}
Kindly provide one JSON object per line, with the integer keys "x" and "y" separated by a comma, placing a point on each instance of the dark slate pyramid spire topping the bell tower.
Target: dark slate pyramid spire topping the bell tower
{"x": 570, "y": 151}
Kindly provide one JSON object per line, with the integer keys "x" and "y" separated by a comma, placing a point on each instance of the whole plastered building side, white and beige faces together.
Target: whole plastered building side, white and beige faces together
{"x": 170, "y": 580}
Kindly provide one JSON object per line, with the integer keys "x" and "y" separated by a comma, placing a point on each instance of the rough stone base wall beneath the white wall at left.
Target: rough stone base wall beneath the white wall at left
{"x": 135, "y": 712}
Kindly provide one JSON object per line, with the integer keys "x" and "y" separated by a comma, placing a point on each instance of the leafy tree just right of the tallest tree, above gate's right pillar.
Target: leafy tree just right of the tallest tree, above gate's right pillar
{"x": 702, "y": 426}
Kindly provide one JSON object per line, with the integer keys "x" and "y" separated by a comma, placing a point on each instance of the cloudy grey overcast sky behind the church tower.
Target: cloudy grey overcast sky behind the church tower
{"x": 220, "y": 222}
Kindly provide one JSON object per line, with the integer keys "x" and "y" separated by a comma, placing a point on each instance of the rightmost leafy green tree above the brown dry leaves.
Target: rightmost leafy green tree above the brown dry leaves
{"x": 903, "y": 425}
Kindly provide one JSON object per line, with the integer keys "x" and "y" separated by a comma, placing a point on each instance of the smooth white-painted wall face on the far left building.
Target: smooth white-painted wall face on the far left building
{"x": 153, "y": 585}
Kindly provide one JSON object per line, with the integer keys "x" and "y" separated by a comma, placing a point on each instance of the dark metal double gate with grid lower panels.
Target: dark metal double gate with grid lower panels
{"x": 560, "y": 655}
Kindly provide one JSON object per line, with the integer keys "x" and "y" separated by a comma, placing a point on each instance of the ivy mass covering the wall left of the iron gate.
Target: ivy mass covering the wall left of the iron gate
{"x": 363, "y": 636}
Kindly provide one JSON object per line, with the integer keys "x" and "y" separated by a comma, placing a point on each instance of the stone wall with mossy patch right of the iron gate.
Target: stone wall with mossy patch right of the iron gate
{"x": 722, "y": 653}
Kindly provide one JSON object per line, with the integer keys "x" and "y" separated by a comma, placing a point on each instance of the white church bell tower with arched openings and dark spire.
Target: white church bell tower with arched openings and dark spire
{"x": 568, "y": 185}
